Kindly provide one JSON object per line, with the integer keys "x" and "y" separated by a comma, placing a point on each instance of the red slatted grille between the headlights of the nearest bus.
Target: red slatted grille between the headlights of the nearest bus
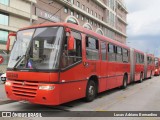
{"x": 25, "y": 88}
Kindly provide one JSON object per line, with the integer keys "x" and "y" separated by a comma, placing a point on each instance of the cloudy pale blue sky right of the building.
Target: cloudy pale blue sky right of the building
{"x": 143, "y": 30}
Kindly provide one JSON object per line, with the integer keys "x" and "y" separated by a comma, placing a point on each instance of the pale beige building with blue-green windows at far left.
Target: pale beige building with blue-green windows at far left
{"x": 14, "y": 14}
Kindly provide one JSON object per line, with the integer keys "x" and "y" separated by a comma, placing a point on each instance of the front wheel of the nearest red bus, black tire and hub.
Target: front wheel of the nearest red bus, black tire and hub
{"x": 91, "y": 91}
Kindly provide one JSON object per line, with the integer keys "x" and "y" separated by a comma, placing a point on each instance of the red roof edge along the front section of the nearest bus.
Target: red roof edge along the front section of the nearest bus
{"x": 81, "y": 29}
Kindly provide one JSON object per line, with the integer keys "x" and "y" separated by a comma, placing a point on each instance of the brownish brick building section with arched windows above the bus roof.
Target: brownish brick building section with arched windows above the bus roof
{"x": 106, "y": 17}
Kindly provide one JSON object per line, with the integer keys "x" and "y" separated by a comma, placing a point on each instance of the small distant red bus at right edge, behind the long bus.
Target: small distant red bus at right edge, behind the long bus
{"x": 157, "y": 66}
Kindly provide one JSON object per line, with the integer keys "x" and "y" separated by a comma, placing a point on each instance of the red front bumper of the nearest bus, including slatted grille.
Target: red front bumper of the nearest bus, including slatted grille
{"x": 18, "y": 92}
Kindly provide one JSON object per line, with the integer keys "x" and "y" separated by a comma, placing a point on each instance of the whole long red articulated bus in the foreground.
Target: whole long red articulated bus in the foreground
{"x": 56, "y": 63}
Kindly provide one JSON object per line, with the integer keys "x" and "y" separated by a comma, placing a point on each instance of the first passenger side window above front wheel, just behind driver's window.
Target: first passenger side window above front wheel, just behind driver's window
{"x": 92, "y": 47}
